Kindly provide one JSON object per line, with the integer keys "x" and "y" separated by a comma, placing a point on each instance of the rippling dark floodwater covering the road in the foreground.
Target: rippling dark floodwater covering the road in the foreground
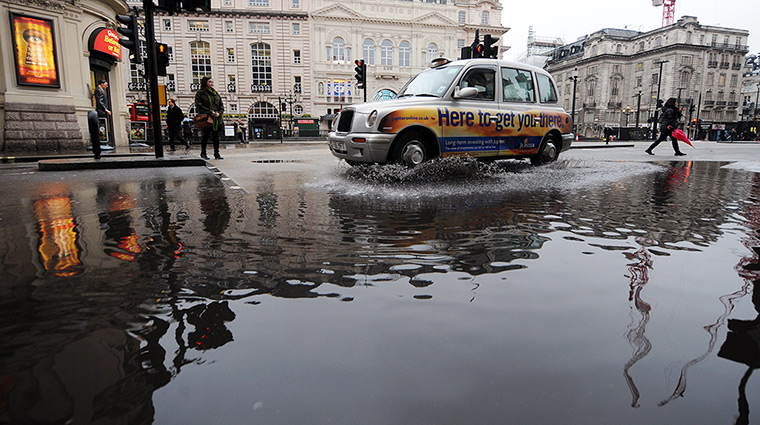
{"x": 459, "y": 292}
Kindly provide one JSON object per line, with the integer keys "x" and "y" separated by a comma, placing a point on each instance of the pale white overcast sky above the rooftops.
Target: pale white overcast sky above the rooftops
{"x": 572, "y": 19}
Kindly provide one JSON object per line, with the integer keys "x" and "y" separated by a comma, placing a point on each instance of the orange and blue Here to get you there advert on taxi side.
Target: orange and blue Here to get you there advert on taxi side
{"x": 475, "y": 131}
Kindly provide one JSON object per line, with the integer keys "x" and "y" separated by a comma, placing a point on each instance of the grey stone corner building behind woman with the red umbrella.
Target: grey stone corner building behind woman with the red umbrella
{"x": 617, "y": 74}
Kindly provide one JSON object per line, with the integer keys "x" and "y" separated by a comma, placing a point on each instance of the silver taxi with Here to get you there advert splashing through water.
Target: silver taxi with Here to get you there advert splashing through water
{"x": 484, "y": 108}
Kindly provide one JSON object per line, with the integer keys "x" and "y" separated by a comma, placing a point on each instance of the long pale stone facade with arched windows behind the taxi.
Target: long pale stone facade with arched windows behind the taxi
{"x": 295, "y": 58}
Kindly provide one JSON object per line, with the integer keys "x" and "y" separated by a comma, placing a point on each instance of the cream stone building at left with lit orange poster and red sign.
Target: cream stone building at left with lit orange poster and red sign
{"x": 52, "y": 54}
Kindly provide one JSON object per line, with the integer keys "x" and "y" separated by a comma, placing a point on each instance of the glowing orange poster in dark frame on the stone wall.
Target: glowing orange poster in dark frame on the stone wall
{"x": 34, "y": 51}
